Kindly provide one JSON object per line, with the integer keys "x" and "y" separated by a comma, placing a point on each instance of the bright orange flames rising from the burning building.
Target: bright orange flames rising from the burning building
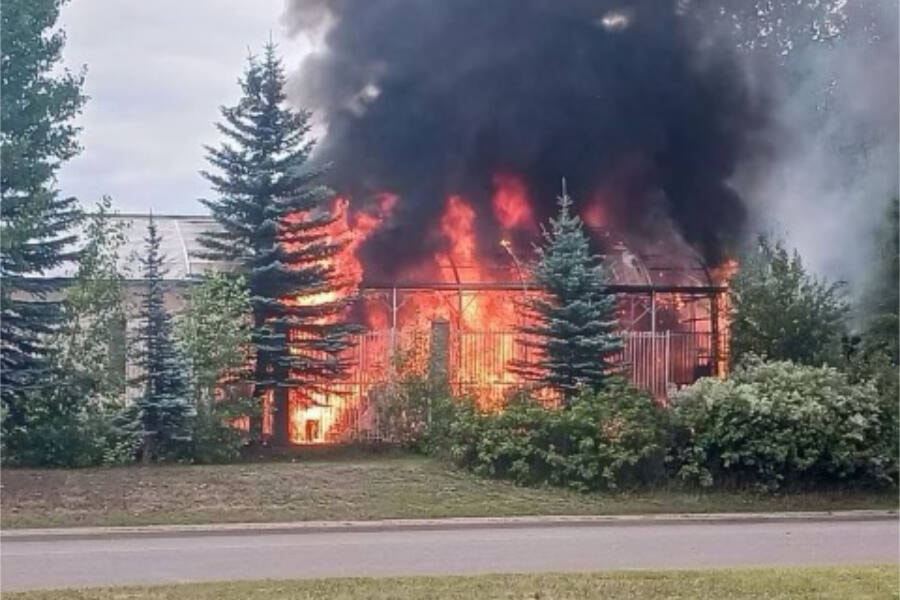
{"x": 481, "y": 343}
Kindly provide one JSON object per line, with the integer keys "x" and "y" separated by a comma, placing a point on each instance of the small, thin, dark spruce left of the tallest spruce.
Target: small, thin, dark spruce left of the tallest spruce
{"x": 161, "y": 413}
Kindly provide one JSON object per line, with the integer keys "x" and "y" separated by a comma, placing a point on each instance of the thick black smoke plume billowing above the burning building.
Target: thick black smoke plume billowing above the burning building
{"x": 429, "y": 98}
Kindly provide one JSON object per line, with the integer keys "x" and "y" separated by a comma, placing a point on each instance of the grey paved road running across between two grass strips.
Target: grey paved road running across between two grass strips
{"x": 182, "y": 558}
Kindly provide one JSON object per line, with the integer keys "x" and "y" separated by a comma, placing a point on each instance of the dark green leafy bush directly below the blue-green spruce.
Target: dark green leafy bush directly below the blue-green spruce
{"x": 606, "y": 440}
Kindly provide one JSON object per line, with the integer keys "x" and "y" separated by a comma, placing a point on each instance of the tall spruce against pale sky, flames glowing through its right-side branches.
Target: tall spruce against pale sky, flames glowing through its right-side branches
{"x": 273, "y": 222}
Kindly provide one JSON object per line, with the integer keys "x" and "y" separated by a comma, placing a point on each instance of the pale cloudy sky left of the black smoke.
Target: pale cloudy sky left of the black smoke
{"x": 157, "y": 73}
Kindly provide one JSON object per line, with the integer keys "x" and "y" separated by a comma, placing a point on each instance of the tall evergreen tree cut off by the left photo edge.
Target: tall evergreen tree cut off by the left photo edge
{"x": 39, "y": 103}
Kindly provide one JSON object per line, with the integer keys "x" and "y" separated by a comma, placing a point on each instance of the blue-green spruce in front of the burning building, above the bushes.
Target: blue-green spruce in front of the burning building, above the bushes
{"x": 570, "y": 331}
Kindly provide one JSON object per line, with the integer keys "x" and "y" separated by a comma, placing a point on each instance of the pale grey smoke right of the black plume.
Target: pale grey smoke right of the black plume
{"x": 832, "y": 74}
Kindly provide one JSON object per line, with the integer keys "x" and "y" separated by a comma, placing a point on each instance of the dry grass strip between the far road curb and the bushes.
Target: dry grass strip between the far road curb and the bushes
{"x": 379, "y": 488}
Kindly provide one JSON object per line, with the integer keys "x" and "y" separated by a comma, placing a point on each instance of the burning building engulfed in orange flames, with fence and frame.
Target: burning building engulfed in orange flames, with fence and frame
{"x": 457, "y": 308}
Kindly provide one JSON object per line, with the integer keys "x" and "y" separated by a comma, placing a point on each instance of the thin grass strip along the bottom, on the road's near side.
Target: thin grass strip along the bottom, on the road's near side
{"x": 820, "y": 583}
